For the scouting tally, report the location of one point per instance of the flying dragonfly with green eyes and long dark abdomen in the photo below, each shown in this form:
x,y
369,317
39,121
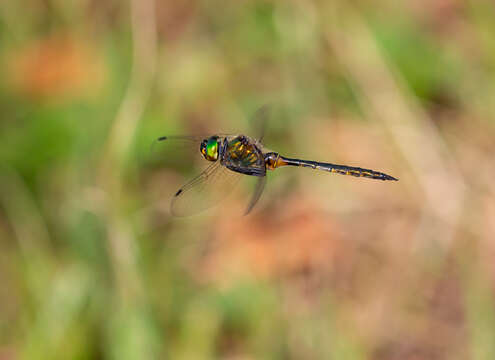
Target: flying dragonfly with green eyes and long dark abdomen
x,y
232,156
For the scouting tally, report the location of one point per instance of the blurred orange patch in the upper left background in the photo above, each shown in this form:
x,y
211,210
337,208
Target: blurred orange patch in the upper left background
x,y
55,66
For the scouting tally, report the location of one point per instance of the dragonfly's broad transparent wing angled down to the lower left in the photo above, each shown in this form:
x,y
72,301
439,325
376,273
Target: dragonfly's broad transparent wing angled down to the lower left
x,y
204,191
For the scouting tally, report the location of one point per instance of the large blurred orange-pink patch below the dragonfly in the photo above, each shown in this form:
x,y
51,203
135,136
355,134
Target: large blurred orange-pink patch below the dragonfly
x,y
301,239
